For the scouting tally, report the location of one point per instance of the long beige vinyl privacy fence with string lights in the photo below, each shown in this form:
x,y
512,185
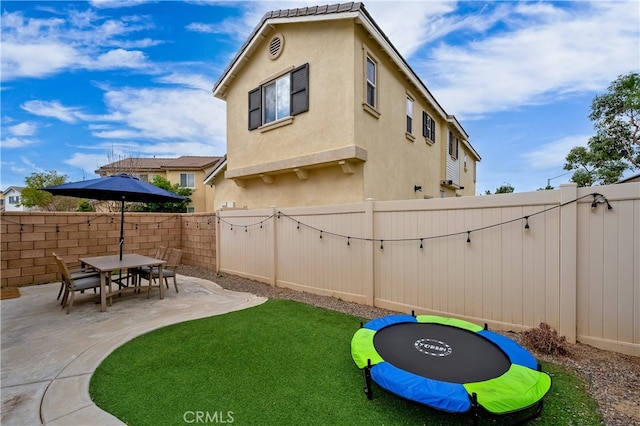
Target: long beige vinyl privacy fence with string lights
x,y
512,260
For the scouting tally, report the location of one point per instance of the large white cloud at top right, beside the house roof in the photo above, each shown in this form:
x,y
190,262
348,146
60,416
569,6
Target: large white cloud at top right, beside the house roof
x,y
552,52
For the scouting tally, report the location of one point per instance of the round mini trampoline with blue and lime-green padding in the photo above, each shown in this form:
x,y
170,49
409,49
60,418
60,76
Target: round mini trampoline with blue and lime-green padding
x,y
448,364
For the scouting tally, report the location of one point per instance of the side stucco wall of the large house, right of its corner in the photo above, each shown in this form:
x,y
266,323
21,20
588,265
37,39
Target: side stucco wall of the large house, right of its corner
x,y
395,163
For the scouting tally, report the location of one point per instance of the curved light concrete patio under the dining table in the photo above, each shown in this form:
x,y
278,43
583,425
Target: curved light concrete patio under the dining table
x,y
48,357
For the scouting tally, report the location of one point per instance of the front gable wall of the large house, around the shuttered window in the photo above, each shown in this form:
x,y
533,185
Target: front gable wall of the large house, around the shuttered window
x,y
322,46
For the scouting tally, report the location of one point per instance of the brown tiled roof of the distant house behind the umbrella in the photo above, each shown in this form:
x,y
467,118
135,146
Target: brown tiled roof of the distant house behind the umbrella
x,y
185,162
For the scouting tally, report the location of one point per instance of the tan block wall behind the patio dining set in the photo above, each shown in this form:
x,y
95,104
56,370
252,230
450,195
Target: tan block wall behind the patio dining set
x,y
29,238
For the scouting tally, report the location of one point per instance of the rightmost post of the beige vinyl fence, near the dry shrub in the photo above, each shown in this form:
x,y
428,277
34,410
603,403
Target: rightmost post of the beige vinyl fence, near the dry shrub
x,y
568,262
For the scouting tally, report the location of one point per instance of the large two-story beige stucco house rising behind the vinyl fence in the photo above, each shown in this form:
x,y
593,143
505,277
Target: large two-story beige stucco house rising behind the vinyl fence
x,y
322,109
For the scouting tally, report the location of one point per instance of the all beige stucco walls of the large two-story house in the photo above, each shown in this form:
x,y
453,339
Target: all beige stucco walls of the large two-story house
x,y
390,165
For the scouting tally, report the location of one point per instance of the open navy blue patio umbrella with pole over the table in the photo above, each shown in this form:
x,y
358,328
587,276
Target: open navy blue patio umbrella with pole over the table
x,y
121,187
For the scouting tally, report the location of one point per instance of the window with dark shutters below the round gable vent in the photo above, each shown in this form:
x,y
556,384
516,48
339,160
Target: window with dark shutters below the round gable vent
x,y
283,97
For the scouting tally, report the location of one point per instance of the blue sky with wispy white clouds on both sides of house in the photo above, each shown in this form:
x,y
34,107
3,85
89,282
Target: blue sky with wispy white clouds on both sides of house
x,y
87,83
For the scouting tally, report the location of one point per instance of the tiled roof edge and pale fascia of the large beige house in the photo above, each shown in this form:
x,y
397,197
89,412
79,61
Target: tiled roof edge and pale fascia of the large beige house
x,y
352,10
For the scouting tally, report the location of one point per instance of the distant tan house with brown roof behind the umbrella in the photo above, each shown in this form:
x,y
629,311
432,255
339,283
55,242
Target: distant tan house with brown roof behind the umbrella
x,y
188,171
